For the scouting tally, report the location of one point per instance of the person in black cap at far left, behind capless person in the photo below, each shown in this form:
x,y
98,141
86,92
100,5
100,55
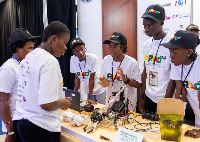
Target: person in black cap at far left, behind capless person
x,y
21,42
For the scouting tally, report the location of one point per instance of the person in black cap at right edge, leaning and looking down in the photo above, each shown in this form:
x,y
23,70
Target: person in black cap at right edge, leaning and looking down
x,y
185,66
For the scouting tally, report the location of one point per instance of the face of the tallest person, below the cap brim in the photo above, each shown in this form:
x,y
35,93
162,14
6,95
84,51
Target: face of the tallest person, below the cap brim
x,y
151,27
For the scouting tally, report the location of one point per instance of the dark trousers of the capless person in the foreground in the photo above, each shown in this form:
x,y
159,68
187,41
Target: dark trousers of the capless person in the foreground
x,y
26,131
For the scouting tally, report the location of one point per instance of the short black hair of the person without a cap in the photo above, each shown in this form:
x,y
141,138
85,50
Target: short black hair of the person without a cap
x,y
54,28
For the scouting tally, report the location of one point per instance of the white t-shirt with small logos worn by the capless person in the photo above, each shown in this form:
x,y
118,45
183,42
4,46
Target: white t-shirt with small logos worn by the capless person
x,y
40,82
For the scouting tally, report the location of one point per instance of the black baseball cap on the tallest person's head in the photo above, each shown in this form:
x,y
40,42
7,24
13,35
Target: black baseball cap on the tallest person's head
x,y
155,12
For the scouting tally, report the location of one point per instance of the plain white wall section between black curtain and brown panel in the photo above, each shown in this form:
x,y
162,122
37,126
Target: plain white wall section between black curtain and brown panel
x,y
90,26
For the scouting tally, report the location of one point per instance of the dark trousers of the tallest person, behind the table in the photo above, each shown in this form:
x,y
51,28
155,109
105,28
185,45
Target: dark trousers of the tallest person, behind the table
x,y
150,106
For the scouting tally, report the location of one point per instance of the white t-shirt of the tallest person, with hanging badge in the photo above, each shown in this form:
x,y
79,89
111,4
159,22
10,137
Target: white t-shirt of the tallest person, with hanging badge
x,y
158,72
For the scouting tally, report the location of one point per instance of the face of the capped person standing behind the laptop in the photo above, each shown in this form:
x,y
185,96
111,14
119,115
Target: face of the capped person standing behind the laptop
x,y
79,51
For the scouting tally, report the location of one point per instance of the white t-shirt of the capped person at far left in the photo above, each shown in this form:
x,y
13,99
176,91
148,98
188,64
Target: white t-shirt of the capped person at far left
x,y
8,83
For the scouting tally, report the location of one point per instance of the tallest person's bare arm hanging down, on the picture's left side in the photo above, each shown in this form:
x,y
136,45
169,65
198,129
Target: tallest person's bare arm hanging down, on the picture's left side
x,y
141,100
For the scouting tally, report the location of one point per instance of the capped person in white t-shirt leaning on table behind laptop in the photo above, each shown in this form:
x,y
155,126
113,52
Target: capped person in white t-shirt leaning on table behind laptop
x,y
85,67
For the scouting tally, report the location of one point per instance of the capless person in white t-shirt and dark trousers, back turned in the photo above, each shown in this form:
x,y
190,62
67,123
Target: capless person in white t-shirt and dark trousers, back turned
x,y
40,89
